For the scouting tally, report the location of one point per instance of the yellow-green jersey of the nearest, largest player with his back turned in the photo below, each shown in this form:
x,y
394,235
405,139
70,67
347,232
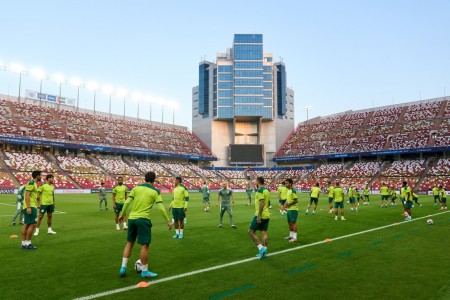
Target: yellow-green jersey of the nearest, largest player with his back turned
x,y
142,197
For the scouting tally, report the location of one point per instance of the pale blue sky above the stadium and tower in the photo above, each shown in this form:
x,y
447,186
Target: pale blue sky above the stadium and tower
x,y
339,55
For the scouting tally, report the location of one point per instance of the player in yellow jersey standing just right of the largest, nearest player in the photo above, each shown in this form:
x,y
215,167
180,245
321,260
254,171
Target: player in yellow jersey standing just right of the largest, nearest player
x,y
179,208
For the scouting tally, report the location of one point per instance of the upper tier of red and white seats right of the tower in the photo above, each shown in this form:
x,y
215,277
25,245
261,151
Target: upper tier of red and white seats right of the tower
x,y
409,126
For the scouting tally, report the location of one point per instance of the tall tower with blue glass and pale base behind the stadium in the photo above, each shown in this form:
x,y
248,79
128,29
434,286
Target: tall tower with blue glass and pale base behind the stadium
x,y
242,97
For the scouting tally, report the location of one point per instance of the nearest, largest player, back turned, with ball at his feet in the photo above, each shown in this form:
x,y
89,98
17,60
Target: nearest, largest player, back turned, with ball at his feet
x,y
142,198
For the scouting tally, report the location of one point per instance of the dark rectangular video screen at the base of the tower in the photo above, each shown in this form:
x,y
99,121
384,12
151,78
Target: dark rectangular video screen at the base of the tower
x,y
246,154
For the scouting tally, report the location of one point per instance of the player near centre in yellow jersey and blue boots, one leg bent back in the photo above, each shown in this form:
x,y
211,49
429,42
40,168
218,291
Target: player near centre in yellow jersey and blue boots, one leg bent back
x,y
261,219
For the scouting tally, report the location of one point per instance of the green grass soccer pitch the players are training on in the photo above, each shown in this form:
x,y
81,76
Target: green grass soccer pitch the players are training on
x,y
407,260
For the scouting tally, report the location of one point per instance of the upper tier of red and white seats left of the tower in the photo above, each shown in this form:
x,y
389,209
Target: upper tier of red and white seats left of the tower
x,y
29,120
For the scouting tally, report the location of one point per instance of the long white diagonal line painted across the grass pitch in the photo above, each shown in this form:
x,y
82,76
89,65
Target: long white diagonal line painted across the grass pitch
x,y
153,282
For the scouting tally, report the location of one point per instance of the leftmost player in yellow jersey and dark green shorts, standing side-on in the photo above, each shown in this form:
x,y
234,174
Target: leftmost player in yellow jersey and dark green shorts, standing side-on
x,y
30,210
